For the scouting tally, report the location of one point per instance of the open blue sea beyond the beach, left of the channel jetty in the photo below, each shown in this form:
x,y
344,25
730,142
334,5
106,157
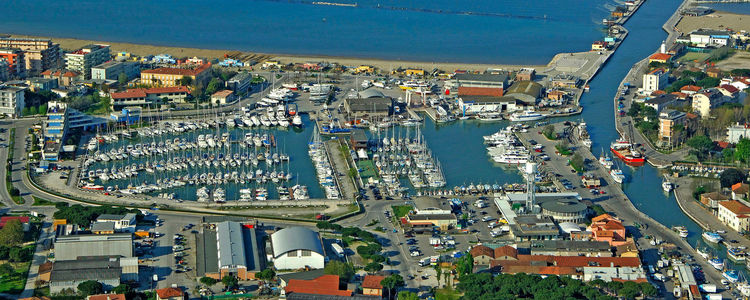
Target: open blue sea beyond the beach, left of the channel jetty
x,y
476,31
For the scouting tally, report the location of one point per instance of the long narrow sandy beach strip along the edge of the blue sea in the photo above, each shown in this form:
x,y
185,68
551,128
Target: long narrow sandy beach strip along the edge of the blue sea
x,y
141,50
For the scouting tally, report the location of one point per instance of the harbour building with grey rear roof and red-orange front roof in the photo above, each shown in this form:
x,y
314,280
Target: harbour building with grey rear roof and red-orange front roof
x,y
480,84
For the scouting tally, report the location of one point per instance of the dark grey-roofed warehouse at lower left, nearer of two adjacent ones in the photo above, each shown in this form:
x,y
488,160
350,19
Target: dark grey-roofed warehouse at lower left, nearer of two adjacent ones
x,y
109,271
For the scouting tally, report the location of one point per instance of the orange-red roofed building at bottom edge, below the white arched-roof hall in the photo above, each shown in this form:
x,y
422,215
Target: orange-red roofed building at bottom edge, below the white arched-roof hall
x,y
326,285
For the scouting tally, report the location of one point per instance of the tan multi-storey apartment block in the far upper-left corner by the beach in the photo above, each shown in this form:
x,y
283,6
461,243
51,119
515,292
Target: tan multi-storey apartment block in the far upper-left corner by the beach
x,y
38,54
